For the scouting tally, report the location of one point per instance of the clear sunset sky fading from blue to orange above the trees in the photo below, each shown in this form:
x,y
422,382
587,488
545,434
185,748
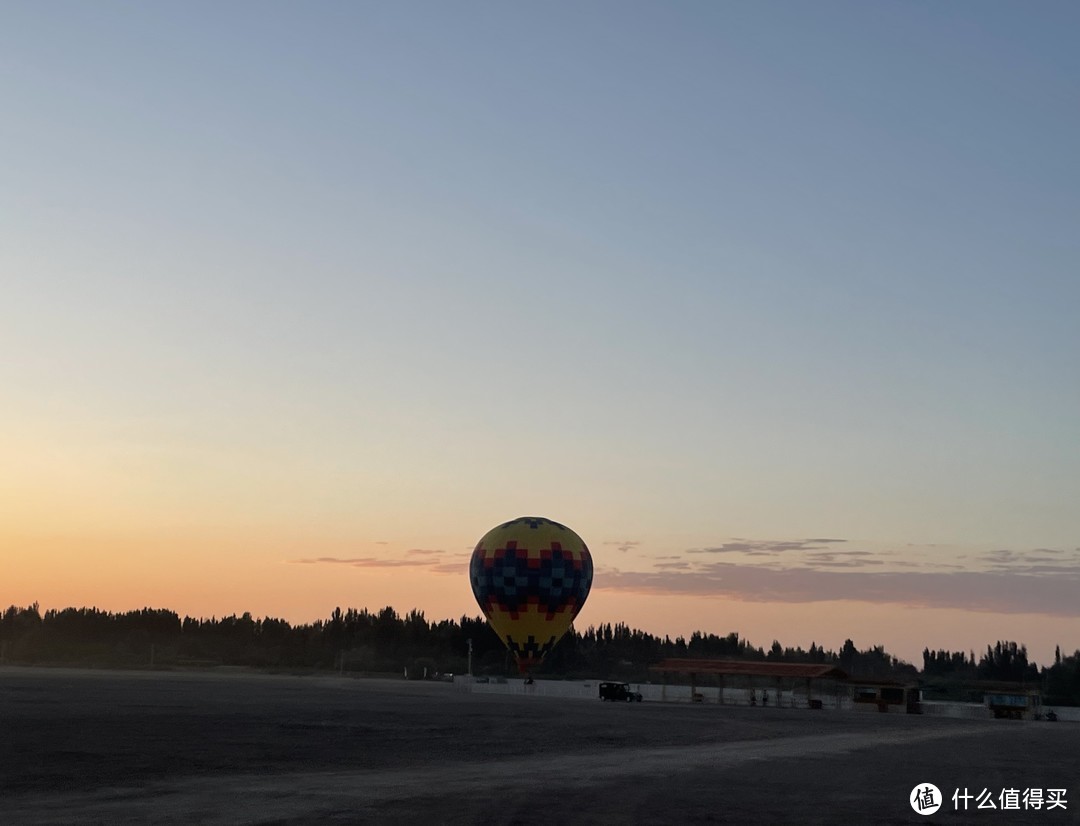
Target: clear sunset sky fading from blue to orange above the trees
x,y
776,304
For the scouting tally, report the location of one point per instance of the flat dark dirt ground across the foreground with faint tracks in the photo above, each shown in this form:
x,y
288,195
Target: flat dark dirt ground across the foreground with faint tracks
x,y
116,748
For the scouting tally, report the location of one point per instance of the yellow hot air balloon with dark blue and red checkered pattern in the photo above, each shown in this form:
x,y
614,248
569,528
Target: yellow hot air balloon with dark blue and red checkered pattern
x,y
531,576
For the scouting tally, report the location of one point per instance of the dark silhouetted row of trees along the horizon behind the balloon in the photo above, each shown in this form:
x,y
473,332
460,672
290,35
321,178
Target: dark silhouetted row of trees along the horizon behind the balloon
x,y
359,641
